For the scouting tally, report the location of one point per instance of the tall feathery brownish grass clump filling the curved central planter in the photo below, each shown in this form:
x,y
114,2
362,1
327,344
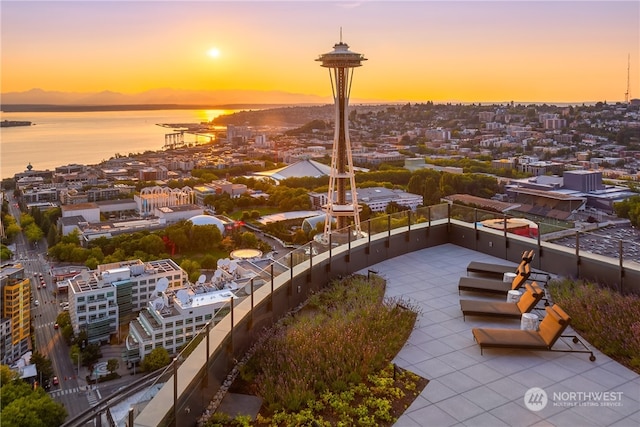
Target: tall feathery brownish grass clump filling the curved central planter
x,y
350,332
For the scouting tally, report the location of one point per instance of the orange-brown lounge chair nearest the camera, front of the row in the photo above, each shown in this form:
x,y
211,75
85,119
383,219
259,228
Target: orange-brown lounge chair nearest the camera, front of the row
x,y
550,330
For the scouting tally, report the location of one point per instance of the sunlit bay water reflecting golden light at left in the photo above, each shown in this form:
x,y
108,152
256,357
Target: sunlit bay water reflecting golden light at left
x,y
57,139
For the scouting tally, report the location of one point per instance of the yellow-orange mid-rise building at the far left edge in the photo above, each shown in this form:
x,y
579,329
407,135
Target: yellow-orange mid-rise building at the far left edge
x,y
15,313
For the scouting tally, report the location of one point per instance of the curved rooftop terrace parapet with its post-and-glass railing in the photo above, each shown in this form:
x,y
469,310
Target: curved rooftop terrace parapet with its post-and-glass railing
x,y
194,383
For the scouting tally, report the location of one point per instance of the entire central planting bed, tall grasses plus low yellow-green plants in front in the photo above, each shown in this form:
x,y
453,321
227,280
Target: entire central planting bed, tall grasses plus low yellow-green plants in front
x,y
330,363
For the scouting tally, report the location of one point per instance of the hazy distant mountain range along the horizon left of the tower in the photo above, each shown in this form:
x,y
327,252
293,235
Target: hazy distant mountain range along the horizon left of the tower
x,y
11,101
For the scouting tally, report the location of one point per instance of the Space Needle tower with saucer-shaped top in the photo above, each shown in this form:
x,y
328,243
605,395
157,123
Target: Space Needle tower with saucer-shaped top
x,y
341,63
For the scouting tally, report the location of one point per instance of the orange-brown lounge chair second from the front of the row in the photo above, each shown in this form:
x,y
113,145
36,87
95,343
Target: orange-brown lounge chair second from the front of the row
x,y
531,297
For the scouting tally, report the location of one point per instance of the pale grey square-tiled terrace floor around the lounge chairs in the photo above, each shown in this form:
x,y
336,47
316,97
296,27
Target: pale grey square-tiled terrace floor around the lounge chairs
x,y
470,389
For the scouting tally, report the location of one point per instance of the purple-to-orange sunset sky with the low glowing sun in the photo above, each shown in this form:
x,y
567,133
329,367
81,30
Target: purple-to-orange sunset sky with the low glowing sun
x,y
417,51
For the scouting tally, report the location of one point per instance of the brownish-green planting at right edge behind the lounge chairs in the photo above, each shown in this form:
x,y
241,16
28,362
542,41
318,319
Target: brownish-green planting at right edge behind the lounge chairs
x,y
605,318
